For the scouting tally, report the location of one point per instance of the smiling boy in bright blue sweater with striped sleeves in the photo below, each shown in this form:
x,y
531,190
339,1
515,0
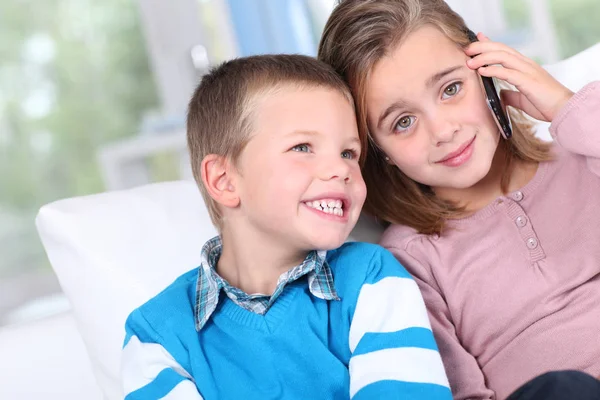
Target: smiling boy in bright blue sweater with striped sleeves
x,y
276,309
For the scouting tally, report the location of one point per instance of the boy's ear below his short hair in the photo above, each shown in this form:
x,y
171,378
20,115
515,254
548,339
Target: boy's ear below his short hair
x,y
218,179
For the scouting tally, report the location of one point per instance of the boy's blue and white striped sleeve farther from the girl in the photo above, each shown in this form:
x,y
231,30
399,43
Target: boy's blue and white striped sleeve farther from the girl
x,y
148,371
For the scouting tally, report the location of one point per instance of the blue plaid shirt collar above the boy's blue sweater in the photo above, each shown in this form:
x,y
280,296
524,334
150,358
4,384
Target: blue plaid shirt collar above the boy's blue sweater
x,y
208,288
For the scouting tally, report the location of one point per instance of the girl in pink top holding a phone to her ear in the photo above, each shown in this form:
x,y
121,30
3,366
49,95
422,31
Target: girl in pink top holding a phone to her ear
x,y
502,235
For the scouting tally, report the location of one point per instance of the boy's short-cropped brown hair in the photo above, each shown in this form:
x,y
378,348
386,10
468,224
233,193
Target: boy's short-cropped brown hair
x,y
220,113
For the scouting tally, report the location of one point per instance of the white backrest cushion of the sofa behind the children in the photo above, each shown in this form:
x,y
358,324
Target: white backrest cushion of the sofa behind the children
x,y
114,251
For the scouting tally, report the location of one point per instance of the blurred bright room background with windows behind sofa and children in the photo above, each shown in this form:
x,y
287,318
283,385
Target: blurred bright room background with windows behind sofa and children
x,y
93,96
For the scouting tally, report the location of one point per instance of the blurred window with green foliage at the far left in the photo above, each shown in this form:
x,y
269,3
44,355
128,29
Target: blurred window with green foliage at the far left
x,y
74,76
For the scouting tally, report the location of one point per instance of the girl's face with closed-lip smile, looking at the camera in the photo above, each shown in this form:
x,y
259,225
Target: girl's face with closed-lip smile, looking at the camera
x,y
427,112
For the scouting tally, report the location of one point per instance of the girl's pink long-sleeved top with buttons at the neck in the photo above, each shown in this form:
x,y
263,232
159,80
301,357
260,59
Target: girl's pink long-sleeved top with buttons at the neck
x,y
513,291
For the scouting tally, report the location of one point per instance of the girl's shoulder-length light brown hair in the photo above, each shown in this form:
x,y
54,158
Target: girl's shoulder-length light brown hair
x,y
357,35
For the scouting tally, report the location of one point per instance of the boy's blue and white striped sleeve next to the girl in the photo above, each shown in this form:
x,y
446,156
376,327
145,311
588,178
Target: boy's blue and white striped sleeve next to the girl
x,y
394,353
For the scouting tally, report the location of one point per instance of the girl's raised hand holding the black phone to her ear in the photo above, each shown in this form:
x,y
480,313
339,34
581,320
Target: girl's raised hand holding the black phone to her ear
x,y
540,95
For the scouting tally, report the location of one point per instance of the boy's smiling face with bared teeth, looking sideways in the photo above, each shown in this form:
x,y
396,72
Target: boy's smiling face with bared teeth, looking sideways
x,y
299,180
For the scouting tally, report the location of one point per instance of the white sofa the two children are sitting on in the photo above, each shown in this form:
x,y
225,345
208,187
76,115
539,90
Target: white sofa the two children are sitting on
x,y
113,251
